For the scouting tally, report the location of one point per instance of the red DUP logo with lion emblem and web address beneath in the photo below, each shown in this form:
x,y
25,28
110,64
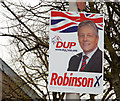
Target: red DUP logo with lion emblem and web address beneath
x,y
61,45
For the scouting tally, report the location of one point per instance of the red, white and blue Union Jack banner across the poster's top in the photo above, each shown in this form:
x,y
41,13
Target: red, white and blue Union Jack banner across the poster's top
x,y
66,22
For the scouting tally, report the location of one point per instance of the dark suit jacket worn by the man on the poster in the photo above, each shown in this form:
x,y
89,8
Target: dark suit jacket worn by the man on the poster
x,y
94,64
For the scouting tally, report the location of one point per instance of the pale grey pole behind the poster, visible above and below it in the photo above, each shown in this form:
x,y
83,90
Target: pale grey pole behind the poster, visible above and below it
x,y
72,96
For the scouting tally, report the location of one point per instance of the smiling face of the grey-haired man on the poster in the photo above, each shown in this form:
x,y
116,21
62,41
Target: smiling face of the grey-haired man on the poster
x,y
87,39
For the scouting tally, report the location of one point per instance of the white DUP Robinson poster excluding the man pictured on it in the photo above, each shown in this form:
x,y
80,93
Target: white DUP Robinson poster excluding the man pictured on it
x,y
63,45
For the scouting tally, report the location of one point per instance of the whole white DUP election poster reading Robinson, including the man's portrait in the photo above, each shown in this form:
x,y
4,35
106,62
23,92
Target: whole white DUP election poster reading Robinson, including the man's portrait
x,y
76,52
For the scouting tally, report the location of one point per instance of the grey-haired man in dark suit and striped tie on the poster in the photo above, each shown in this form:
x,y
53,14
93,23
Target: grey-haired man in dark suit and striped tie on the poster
x,y
90,60
